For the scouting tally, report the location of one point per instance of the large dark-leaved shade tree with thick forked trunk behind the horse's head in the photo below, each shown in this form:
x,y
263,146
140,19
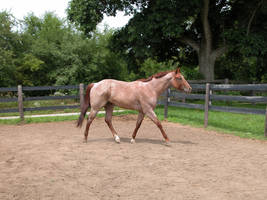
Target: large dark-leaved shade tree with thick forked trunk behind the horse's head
x,y
160,28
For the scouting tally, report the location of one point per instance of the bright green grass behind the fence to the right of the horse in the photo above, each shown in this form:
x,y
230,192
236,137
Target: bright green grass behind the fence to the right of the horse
x,y
243,125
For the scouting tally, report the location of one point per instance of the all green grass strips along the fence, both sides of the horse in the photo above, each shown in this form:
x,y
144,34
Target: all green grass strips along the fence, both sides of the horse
x,y
243,125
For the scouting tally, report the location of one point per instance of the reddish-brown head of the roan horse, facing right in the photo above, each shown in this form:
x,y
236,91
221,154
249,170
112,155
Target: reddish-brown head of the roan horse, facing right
x,y
178,81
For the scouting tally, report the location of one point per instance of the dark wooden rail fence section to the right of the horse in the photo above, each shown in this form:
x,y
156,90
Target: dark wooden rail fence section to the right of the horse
x,y
171,96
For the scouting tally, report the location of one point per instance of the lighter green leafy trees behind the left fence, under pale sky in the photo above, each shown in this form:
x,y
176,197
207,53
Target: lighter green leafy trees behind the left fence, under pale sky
x,y
49,51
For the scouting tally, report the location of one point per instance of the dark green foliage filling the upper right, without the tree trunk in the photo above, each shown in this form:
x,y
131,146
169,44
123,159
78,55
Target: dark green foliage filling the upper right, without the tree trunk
x,y
165,28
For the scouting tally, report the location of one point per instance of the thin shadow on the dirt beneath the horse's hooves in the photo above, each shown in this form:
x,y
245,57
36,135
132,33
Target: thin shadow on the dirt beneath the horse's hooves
x,y
141,141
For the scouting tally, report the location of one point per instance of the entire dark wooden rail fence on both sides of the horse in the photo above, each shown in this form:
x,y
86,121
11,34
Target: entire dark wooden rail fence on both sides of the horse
x,y
169,98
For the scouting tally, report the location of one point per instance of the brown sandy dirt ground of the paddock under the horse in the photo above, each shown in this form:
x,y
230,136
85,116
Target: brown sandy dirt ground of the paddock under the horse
x,y
50,161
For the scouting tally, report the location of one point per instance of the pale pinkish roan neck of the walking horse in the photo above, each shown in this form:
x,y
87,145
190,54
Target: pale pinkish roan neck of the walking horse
x,y
161,84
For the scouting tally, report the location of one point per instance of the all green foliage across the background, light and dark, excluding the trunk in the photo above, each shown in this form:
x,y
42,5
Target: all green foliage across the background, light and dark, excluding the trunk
x,y
51,51
